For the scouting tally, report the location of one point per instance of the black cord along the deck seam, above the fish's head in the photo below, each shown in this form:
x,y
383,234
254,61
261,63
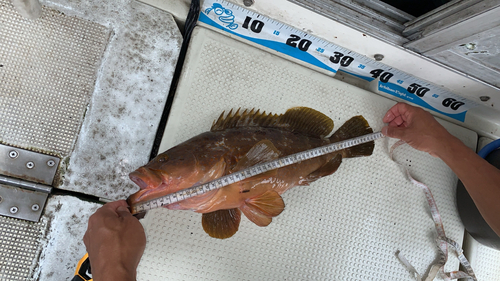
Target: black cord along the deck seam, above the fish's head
x,y
191,20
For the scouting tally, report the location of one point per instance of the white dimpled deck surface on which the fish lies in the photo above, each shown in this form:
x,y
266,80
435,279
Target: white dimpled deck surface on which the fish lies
x,y
347,226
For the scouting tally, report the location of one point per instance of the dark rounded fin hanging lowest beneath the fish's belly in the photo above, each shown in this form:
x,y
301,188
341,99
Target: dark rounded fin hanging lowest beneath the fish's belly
x,y
221,224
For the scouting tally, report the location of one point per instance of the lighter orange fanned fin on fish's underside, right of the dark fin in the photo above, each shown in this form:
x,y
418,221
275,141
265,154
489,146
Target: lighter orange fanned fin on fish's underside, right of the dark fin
x,y
261,209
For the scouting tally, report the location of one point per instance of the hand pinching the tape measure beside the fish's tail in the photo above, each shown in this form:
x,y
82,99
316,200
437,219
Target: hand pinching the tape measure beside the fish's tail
x,y
416,127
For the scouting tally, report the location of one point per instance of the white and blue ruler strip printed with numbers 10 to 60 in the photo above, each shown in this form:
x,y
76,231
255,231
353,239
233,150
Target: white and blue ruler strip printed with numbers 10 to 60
x,y
326,55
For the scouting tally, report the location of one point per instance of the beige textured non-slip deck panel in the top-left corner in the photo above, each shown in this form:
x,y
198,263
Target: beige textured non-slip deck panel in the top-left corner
x,y
48,69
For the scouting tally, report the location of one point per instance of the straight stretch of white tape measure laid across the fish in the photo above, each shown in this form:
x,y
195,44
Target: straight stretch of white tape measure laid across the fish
x,y
252,171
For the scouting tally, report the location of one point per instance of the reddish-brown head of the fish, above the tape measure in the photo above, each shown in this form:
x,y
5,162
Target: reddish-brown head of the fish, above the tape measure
x,y
169,172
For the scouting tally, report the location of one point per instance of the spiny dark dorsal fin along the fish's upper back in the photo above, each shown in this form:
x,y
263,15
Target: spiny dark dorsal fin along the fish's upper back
x,y
297,119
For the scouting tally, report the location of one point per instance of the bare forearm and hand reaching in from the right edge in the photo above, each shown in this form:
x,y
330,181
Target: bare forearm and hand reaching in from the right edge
x,y
420,130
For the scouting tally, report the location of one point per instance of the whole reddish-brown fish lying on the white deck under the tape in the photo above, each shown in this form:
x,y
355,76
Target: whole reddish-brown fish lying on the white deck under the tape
x,y
240,140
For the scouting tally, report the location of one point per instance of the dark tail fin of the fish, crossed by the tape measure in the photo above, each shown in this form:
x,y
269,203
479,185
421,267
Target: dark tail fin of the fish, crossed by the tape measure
x,y
354,127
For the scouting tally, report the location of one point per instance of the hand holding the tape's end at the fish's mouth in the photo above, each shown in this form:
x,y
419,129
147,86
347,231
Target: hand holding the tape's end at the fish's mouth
x,y
115,242
